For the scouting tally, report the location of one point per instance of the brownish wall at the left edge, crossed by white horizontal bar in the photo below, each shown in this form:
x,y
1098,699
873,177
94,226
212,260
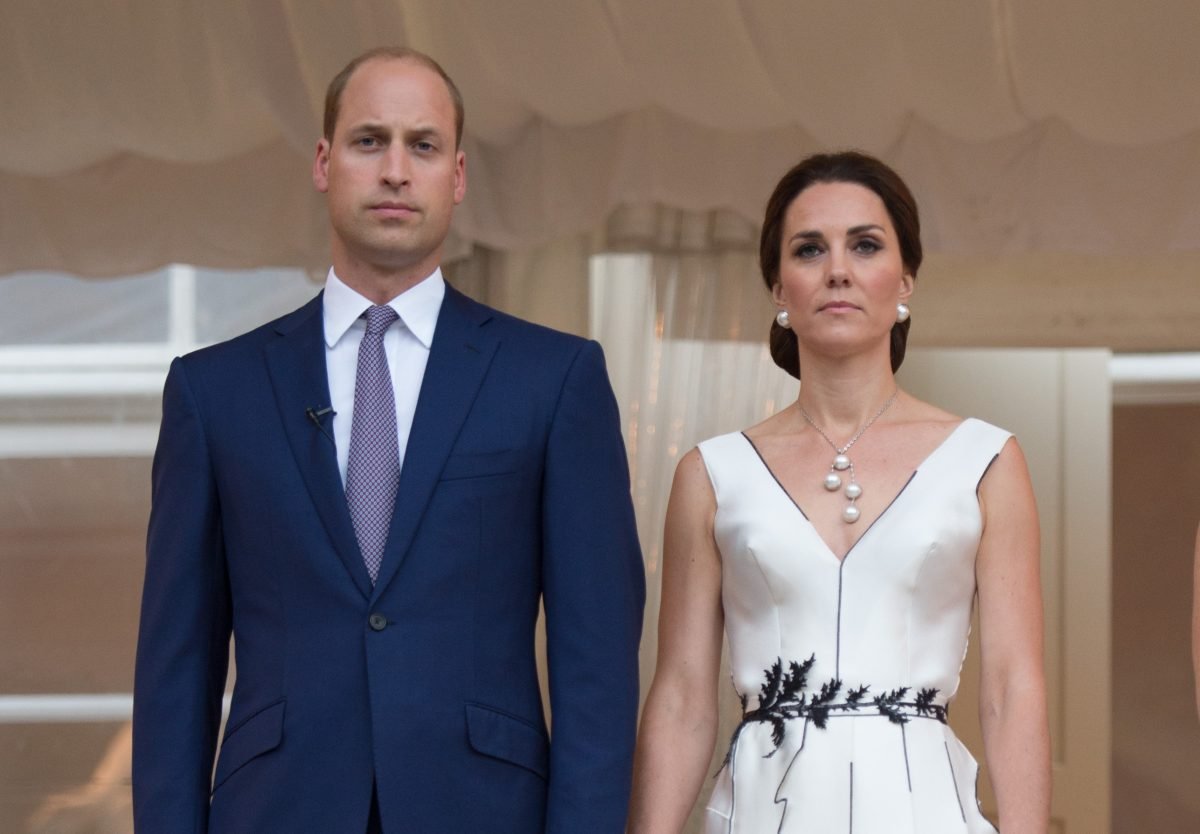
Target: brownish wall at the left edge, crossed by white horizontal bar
x,y
73,535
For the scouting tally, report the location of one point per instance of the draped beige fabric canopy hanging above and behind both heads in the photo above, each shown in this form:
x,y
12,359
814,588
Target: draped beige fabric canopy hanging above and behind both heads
x,y
137,135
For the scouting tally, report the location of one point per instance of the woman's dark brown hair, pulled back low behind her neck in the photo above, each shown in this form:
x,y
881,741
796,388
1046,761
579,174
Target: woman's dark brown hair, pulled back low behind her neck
x,y
841,167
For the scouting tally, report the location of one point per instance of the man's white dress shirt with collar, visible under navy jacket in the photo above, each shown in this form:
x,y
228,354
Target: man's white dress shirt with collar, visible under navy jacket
x,y
407,345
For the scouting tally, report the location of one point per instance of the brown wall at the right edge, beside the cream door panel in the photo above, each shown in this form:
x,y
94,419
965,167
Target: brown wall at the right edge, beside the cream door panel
x,y
1156,506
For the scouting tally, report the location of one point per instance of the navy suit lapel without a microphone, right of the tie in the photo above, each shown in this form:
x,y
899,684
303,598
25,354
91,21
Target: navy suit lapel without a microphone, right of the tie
x,y
459,361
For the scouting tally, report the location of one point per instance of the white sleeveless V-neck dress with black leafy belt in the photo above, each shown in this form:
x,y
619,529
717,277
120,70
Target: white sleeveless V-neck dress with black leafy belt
x,y
845,669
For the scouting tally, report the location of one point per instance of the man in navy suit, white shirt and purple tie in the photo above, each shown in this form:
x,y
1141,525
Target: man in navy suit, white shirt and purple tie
x,y
398,693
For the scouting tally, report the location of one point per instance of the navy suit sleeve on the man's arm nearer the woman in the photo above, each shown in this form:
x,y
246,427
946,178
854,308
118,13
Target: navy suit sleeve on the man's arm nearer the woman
x,y
595,592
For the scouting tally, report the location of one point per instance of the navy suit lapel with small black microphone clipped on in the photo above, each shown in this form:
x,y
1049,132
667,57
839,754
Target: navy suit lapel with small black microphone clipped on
x,y
297,364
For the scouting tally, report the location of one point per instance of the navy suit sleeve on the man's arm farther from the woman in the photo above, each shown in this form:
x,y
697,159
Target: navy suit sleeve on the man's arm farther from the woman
x,y
184,634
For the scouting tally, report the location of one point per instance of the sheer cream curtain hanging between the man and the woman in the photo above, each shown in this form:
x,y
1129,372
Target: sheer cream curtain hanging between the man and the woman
x,y
685,331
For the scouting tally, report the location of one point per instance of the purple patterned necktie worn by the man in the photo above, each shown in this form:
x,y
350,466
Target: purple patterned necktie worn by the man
x,y
373,472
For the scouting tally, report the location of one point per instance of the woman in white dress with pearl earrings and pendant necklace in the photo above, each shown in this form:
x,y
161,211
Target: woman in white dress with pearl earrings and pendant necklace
x,y
842,544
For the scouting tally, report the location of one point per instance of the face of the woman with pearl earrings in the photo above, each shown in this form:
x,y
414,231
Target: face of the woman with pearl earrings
x,y
841,272
